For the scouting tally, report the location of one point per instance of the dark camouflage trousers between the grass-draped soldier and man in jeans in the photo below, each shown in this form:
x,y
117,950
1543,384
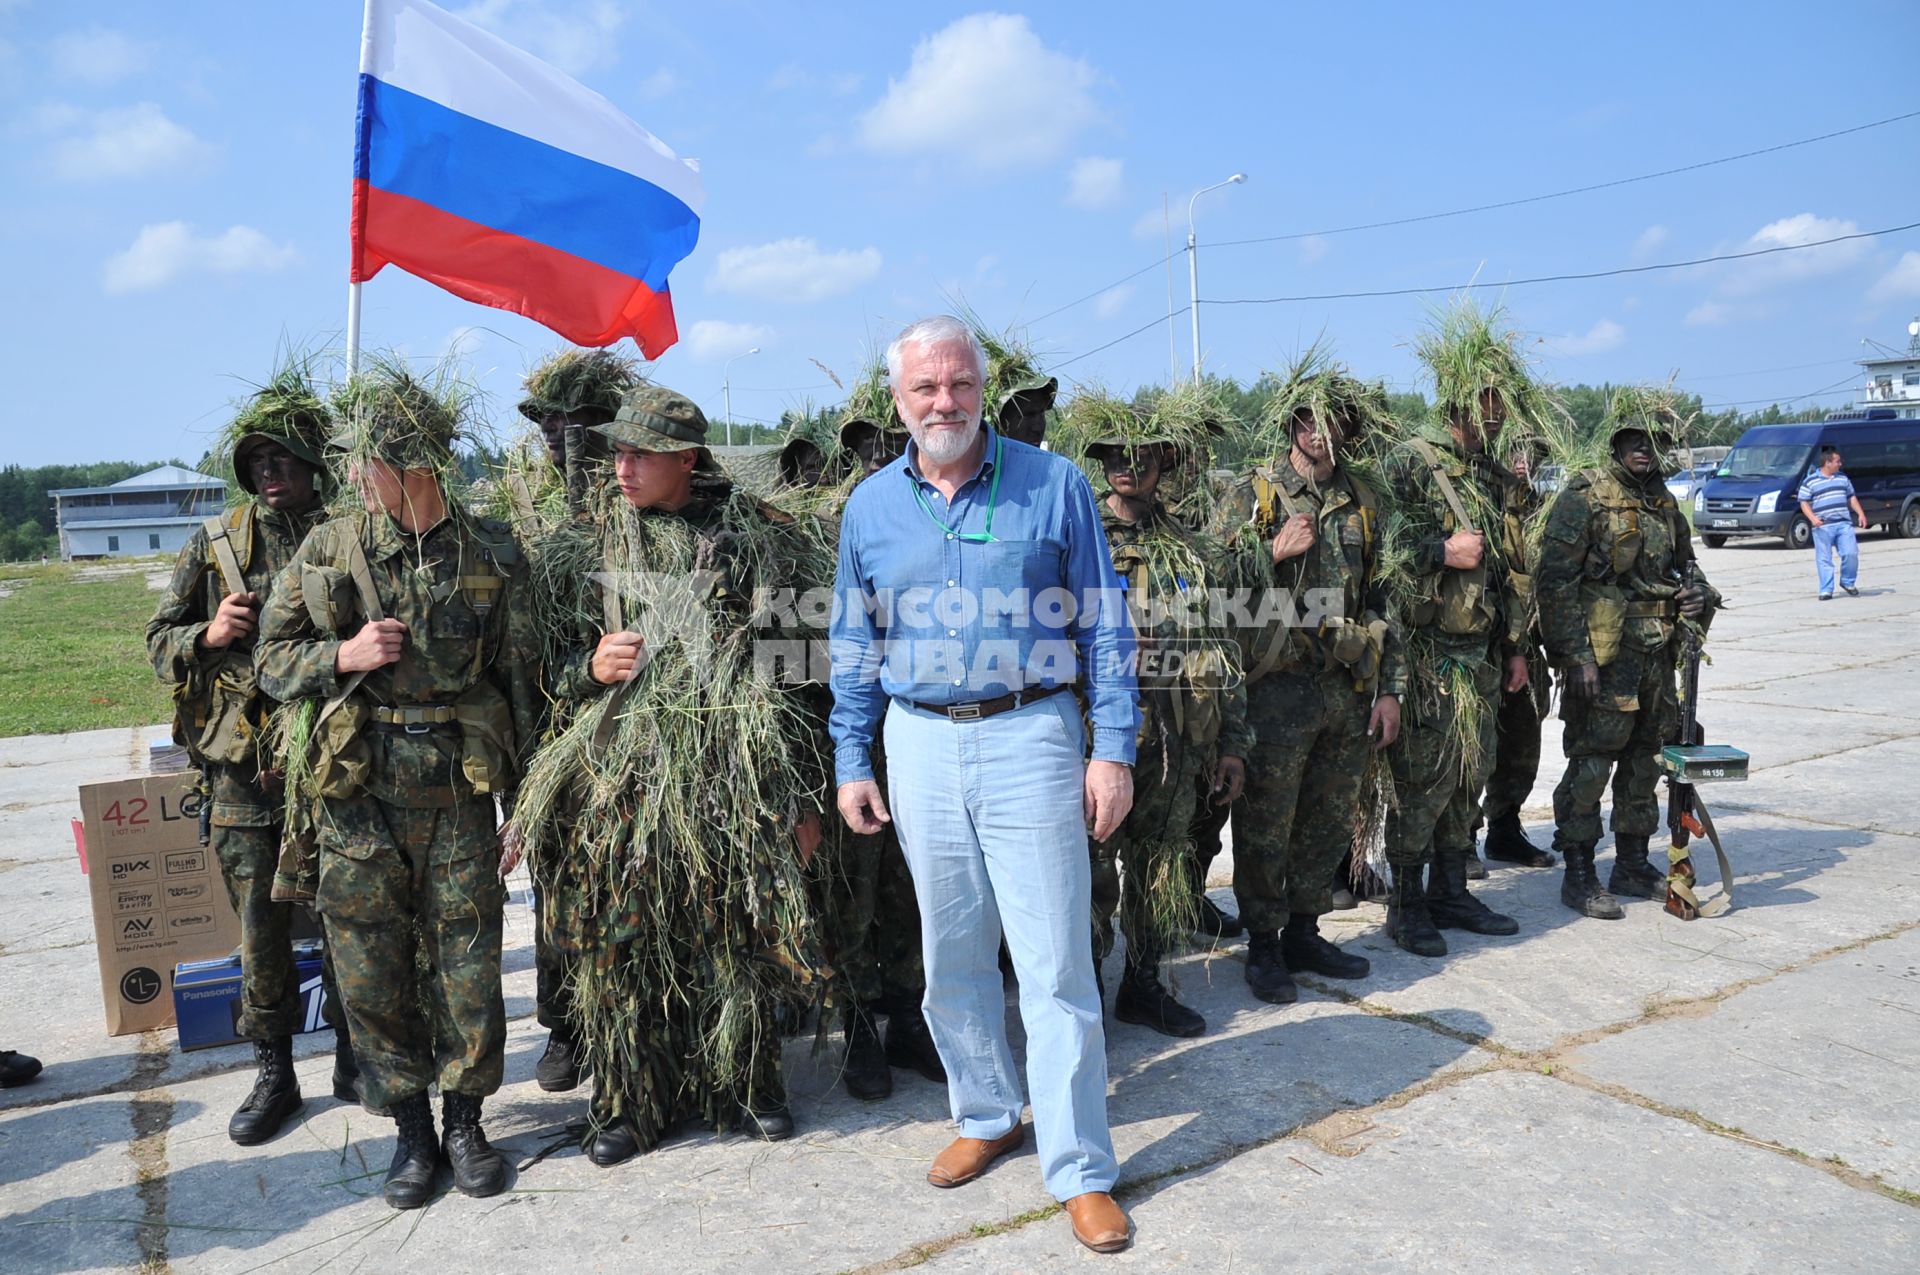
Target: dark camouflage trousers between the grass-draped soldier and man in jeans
x,y
876,925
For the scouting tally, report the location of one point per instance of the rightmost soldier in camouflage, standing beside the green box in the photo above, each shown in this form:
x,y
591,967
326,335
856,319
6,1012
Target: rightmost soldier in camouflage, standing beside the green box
x,y
1618,590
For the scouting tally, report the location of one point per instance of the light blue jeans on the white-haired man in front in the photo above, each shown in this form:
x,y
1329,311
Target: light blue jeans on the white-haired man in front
x,y
992,823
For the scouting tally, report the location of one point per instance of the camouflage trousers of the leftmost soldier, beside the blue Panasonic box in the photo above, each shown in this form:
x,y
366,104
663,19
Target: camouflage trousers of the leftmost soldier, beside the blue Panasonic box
x,y
270,980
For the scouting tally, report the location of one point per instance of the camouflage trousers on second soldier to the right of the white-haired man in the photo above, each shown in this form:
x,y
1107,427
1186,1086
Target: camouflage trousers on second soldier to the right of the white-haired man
x,y
1297,819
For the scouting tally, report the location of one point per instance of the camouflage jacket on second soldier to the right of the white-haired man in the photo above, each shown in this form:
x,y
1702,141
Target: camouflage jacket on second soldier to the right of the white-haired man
x,y
1337,583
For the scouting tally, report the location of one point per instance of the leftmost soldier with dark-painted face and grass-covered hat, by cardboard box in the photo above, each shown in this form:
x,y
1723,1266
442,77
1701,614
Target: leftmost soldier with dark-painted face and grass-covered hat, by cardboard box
x,y
203,644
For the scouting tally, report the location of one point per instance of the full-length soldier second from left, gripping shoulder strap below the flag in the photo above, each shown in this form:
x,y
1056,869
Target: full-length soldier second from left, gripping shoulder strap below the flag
x,y
406,619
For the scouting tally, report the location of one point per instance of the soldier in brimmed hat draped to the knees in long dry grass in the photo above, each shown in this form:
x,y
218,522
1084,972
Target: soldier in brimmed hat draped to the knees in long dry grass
x,y
665,813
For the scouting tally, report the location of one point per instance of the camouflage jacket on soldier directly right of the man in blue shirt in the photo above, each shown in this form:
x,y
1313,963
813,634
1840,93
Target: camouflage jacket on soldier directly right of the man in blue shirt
x,y
1189,673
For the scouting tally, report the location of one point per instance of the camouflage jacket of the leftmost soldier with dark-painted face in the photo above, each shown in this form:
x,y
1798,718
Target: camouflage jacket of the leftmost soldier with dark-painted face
x,y
218,706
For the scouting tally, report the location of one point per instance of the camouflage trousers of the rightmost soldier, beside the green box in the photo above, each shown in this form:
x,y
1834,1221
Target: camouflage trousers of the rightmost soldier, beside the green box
x,y
1620,734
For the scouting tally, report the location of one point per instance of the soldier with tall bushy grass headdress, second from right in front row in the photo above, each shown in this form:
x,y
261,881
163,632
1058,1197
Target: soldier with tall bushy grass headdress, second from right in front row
x,y
1468,613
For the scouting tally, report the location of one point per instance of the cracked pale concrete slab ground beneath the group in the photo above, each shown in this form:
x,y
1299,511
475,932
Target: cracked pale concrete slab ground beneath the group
x,y
1644,1095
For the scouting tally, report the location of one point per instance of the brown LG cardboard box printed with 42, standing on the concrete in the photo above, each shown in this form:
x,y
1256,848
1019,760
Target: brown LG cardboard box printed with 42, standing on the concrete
x,y
158,894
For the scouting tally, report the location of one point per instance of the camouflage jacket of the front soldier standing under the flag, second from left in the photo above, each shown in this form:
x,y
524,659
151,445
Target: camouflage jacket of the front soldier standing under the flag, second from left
x,y
460,590
